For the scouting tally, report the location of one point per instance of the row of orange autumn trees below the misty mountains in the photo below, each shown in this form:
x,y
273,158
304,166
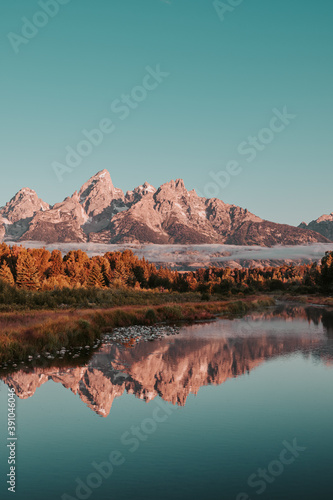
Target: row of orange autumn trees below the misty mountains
x,y
39,269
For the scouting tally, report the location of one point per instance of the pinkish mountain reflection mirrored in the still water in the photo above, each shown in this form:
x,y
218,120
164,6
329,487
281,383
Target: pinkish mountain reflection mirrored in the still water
x,y
200,355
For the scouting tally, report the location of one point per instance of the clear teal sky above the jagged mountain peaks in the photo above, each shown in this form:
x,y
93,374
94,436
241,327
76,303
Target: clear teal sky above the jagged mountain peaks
x,y
228,70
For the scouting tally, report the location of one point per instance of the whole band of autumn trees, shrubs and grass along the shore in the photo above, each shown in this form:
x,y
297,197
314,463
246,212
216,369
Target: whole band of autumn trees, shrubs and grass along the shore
x,y
49,301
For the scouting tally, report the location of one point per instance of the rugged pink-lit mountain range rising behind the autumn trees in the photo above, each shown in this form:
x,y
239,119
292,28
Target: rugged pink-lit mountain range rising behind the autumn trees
x,y
102,213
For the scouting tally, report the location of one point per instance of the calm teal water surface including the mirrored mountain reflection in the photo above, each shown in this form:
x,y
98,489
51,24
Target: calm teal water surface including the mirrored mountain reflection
x,y
238,409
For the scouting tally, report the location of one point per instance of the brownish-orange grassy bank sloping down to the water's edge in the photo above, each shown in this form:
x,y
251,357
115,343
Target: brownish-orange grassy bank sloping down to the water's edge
x,y
26,333
